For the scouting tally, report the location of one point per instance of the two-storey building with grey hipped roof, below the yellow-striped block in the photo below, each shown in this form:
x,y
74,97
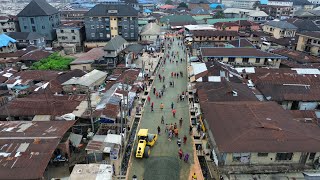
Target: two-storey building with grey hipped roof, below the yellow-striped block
x,y
112,53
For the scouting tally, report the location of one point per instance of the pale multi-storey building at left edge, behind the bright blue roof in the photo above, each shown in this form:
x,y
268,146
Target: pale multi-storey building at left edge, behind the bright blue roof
x,y
9,24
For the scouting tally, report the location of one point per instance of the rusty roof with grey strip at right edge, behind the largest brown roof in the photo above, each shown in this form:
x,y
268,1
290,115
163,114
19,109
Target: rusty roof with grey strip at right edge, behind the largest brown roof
x,y
286,84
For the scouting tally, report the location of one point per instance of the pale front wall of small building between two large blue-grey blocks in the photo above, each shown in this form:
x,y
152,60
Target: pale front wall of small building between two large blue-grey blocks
x,y
70,35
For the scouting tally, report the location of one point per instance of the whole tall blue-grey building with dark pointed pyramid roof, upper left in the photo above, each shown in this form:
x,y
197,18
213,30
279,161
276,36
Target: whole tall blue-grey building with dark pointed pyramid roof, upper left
x,y
40,17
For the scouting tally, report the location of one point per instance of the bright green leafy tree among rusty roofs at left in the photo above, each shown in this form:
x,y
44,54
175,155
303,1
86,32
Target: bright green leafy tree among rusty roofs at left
x,y
53,62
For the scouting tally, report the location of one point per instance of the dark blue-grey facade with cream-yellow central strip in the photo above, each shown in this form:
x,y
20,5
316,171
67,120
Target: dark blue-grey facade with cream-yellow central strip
x,y
103,28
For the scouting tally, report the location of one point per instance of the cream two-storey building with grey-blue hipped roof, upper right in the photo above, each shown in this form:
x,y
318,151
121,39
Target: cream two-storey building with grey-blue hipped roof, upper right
x,y
279,29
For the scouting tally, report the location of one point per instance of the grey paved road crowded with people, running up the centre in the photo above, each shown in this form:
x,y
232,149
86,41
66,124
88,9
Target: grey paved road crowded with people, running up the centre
x,y
165,149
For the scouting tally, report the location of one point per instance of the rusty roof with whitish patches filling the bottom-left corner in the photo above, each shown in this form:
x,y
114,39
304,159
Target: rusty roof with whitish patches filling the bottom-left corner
x,y
26,147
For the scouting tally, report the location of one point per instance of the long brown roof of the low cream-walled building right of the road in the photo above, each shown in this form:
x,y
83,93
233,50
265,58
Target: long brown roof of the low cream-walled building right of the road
x,y
237,52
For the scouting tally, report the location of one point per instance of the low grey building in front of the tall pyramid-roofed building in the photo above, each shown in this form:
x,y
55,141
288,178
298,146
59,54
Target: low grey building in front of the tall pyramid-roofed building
x,y
25,39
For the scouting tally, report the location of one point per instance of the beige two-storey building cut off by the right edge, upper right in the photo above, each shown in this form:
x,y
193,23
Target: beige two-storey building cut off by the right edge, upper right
x,y
309,42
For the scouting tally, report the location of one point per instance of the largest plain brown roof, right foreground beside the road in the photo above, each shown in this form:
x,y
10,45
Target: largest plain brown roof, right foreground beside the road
x,y
258,127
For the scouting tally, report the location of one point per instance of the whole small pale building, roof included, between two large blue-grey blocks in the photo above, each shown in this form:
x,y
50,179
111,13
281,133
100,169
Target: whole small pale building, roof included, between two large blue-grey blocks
x,y
70,33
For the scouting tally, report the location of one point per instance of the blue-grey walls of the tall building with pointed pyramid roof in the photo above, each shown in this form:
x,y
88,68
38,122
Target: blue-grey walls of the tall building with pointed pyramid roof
x,y
43,25
